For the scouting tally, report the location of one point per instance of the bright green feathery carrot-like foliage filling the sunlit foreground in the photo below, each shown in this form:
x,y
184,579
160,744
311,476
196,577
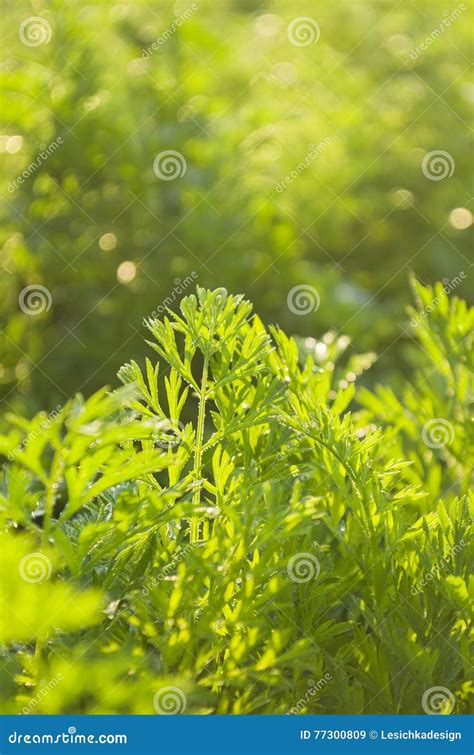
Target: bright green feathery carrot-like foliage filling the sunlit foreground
x,y
238,530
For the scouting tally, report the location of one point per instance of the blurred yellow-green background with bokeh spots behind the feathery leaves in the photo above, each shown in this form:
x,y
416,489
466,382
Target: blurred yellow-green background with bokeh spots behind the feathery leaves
x,y
242,102
